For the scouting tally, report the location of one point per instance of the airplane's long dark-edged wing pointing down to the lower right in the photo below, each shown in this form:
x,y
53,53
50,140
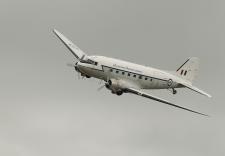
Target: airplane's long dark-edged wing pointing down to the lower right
x,y
137,92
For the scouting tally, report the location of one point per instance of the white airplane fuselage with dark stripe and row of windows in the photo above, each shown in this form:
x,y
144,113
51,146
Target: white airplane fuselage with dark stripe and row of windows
x,y
132,74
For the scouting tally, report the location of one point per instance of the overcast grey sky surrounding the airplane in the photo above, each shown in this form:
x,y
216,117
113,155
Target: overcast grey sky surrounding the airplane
x,y
45,110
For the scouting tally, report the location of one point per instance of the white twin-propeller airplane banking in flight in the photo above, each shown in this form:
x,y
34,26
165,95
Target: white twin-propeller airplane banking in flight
x,y
126,77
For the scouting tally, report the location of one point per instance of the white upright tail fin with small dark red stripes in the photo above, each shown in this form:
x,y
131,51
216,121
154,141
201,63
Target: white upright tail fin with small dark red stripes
x,y
189,69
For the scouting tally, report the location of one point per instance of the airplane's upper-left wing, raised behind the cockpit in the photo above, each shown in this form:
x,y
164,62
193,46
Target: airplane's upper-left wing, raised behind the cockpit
x,y
79,54
